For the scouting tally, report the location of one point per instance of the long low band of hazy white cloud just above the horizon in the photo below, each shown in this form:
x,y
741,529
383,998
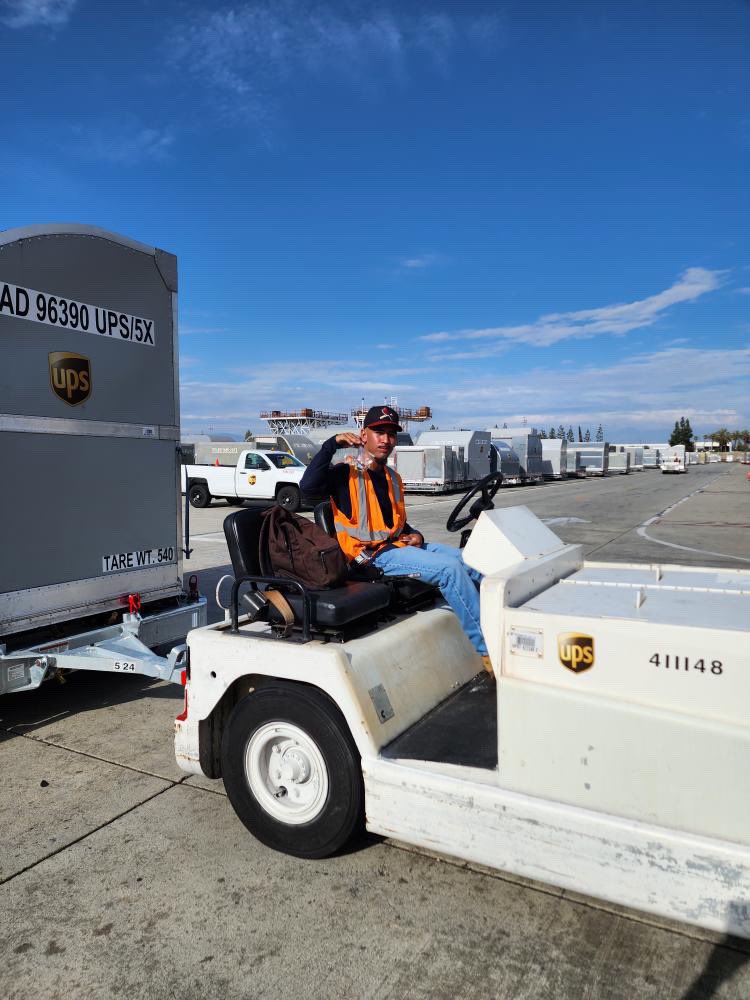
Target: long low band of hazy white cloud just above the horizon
x,y
645,392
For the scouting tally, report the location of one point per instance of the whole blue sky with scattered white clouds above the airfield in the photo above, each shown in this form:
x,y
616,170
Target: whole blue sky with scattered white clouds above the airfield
x,y
503,211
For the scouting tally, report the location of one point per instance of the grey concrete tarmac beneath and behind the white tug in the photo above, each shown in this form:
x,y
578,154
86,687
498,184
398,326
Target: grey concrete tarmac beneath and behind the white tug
x,y
120,878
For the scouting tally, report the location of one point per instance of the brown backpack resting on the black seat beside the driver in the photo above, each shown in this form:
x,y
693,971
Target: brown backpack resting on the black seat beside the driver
x,y
299,550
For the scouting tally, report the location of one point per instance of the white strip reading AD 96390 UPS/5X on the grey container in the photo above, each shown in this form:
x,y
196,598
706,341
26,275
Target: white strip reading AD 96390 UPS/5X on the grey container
x,y
56,310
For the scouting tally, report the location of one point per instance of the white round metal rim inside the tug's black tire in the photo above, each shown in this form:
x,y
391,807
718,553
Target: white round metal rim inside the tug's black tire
x,y
286,773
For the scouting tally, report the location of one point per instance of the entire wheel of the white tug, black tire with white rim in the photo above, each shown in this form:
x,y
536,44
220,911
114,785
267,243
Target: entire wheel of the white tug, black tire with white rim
x,y
292,771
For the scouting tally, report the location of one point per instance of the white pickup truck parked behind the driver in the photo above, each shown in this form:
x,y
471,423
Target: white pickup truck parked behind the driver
x,y
258,475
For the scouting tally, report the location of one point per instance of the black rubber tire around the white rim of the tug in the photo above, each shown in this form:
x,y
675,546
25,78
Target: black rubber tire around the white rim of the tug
x,y
309,710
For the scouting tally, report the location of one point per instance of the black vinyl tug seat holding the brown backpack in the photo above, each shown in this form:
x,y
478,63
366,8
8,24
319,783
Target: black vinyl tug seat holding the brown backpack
x,y
332,609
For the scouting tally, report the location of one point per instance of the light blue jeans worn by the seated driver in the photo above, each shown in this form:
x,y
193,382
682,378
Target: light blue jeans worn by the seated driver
x,y
444,566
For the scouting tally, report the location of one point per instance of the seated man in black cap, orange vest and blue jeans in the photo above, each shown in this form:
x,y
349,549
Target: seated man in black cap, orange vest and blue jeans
x,y
369,512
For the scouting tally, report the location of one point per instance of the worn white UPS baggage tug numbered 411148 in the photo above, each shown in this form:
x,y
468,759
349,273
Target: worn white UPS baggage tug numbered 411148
x,y
610,757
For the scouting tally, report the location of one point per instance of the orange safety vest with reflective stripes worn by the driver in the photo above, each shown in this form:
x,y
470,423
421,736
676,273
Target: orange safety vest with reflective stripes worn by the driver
x,y
365,530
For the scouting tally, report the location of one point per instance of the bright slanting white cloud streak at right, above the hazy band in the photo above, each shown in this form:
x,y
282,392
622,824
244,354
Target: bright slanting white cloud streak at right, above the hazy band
x,y
617,319
